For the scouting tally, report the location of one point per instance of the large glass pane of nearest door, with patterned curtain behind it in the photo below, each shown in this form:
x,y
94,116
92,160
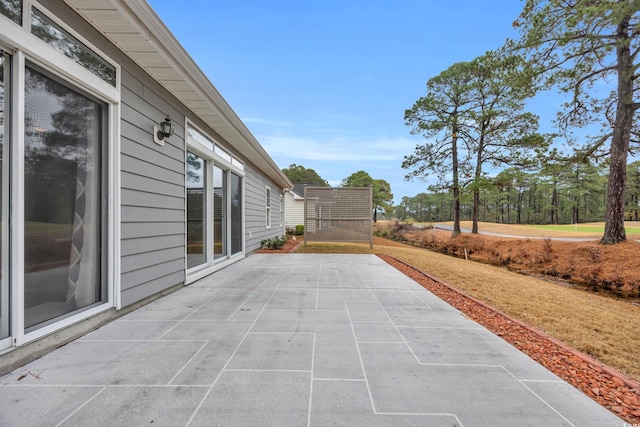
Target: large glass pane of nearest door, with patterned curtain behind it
x,y
63,223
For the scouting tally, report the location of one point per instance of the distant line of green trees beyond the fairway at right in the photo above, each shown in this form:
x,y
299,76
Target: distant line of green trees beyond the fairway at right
x,y
559,194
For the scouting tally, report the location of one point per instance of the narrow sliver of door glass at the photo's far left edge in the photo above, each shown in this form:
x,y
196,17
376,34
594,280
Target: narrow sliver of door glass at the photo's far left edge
x,y
5,67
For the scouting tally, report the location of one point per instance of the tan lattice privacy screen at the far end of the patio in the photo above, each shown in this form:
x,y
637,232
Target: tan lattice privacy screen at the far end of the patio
x,y
341,214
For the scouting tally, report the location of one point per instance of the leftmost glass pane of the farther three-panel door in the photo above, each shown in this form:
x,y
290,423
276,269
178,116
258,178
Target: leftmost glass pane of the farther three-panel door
x,y
196,211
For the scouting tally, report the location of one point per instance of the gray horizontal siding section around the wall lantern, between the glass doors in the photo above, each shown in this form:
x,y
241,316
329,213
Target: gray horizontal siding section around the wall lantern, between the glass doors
x,y
152,198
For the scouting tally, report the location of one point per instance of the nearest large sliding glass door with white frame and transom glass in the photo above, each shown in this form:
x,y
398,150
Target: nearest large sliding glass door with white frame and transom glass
x,y
59,226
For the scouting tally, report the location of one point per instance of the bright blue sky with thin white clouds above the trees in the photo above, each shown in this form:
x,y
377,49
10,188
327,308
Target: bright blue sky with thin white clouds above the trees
x,y
325,84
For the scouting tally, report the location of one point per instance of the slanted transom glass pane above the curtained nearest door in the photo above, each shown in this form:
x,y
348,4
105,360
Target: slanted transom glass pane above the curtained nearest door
x,y
54,35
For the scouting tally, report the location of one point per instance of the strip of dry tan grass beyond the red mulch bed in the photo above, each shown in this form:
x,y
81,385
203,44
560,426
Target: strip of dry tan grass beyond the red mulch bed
x,y
606,328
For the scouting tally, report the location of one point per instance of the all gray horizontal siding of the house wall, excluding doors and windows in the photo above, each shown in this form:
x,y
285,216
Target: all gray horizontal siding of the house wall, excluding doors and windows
x,y
152,180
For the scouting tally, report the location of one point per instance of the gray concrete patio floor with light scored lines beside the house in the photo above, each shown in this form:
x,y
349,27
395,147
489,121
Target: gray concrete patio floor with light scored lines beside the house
x,y
294,340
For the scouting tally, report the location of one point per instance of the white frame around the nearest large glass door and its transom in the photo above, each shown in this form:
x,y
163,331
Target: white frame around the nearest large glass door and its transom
x,y
23,46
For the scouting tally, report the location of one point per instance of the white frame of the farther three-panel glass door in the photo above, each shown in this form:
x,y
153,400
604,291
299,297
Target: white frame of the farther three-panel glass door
x,y
211,155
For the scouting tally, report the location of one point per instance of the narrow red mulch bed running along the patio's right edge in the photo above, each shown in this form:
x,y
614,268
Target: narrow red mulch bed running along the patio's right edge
x,y
614,391
